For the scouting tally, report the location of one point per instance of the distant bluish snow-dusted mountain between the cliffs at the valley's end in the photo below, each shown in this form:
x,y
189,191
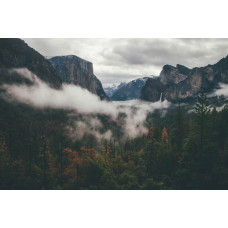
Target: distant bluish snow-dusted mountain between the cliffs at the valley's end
x,y
131,90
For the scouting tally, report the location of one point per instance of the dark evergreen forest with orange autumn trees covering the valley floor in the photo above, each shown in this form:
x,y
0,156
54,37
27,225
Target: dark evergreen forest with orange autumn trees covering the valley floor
x,y
181,151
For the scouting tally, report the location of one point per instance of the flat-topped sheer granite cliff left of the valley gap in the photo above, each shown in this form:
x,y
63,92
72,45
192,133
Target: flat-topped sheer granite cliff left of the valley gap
x,y
74,70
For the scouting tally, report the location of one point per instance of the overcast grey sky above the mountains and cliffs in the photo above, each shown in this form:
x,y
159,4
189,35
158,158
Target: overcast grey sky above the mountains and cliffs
x,y
119,60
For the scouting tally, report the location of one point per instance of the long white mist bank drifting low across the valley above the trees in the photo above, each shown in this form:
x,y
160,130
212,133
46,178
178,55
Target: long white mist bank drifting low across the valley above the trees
x,y
81,101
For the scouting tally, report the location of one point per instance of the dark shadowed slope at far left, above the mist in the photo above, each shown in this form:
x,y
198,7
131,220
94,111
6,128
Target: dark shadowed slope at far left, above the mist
x,y
15,53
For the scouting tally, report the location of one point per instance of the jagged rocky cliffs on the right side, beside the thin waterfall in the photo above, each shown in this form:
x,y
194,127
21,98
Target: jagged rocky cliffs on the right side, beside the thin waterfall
x,y
179,83
